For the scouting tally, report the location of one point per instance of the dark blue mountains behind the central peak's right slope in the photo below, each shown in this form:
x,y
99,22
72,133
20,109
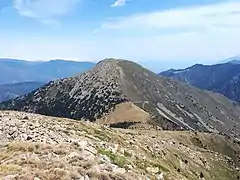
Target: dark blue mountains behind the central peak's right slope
x,y
222,78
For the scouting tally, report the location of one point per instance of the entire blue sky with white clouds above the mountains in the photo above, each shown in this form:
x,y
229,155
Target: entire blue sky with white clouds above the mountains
x,y
175,32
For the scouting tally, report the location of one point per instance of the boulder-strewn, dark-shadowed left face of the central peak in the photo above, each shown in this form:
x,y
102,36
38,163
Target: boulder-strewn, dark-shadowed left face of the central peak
x,y
88,96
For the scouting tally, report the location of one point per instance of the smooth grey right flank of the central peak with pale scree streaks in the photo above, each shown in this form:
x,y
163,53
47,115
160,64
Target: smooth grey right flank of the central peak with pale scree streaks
x,y
174,105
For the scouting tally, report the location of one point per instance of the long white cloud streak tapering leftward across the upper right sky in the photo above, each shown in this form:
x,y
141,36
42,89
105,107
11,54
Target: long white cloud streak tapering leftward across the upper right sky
x,y
203,17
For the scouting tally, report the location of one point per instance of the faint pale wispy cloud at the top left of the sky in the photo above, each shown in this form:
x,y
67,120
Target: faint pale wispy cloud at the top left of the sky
x,y
44,10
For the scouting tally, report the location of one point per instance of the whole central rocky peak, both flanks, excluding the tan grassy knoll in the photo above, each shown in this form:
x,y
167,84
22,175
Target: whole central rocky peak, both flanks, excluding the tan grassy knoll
x,y
97,93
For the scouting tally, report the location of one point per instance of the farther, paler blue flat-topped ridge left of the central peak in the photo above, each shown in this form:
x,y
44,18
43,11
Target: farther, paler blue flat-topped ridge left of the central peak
x,y
16,71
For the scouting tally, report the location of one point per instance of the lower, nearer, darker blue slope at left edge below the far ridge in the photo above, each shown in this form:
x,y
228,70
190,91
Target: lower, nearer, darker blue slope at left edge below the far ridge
x,y
11,91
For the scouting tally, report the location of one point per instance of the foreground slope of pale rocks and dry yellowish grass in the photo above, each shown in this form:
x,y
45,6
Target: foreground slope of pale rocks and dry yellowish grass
x,y
35,147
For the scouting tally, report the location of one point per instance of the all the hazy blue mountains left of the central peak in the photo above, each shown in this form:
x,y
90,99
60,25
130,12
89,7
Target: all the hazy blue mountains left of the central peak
x,y
19,77
